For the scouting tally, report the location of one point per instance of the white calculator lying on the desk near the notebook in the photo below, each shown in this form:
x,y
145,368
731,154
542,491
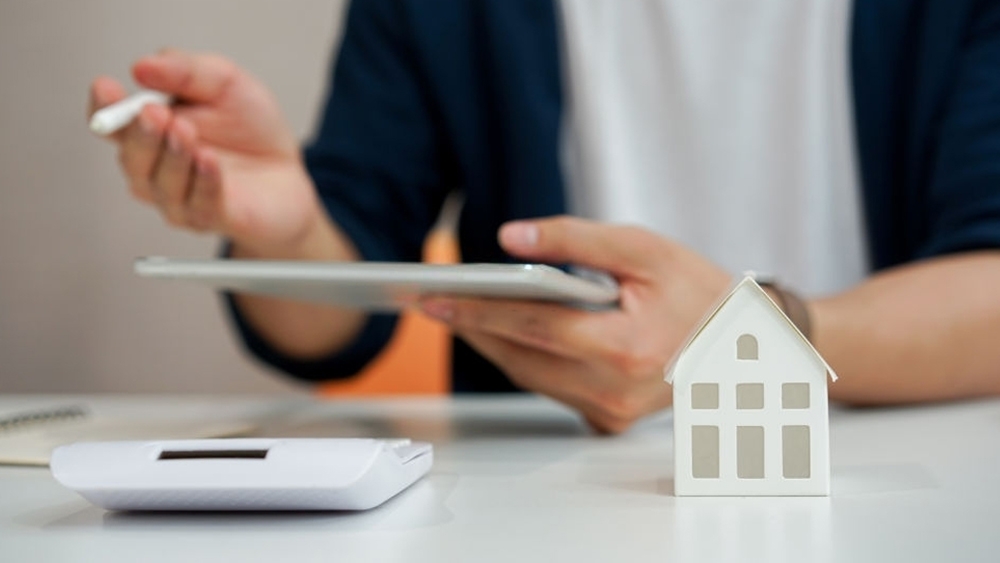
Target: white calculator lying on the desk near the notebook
x,y
242,474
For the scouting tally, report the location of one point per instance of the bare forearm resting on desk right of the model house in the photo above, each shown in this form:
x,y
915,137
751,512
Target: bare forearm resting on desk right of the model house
x,y
921,332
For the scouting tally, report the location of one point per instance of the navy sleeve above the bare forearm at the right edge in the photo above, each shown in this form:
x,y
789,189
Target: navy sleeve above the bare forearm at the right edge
x,y
963,201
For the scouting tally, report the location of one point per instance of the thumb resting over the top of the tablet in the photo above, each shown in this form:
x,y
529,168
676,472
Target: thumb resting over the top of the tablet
x,y
614,248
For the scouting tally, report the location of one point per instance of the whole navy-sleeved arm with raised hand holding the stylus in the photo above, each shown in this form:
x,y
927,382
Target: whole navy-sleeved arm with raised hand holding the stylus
x,y
224,161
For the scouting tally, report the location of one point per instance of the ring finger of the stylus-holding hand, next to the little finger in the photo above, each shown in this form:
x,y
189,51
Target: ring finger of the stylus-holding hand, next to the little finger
x,y
172,178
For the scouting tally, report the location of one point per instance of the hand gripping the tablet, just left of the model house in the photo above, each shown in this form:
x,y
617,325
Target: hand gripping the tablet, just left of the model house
x,y
608,364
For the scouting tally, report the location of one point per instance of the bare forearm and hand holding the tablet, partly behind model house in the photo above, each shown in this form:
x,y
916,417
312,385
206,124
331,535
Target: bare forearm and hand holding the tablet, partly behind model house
x,y
921,332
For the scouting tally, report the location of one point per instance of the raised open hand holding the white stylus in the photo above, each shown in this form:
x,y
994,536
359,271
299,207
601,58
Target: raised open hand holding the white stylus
x,y
221,160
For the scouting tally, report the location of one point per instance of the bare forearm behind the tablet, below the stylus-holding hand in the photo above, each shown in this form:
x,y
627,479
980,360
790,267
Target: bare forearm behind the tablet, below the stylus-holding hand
x,y
298,329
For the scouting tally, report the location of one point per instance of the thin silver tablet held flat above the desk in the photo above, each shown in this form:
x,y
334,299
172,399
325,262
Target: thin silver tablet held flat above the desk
x,y
384,286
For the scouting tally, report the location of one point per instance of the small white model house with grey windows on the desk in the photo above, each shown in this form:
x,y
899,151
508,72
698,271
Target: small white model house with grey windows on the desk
x,y
750,404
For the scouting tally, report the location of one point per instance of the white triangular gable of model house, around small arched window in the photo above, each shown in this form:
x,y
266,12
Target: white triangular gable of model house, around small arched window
x,y
783,353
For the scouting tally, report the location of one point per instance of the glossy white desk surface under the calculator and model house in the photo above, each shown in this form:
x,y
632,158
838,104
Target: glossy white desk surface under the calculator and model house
x,y
520,479
